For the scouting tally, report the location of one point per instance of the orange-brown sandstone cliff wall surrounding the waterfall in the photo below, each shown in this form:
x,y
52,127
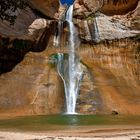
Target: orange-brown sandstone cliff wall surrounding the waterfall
x,y
30,85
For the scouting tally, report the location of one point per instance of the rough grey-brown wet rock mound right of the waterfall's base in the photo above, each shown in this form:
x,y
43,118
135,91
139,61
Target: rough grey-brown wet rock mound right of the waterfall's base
x,y
89,100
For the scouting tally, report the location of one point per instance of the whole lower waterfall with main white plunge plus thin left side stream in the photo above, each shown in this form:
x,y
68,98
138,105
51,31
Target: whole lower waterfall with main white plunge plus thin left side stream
x,y
69,67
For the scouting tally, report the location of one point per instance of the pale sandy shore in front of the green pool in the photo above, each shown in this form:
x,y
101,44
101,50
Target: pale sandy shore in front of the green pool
x,y
83,134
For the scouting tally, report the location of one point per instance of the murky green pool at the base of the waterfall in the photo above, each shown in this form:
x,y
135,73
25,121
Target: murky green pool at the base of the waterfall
x,y
54,122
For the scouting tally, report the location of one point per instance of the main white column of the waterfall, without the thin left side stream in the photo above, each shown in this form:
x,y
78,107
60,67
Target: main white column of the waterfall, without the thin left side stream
x,y
75,72
